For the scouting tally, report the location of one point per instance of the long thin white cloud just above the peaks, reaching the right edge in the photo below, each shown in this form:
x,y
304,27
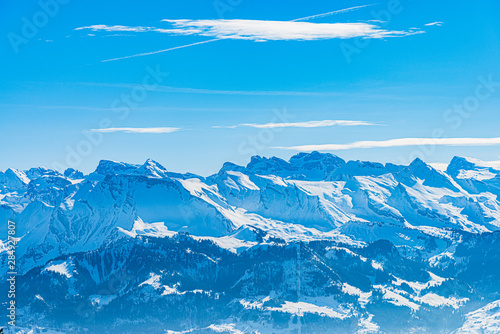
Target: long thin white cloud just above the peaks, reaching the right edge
x,y
398,142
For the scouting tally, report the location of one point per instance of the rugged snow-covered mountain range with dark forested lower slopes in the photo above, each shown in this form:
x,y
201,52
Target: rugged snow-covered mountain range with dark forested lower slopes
x,y
314,244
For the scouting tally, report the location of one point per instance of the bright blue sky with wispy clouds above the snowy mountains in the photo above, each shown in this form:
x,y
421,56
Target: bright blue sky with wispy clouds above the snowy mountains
x,y
404,78
